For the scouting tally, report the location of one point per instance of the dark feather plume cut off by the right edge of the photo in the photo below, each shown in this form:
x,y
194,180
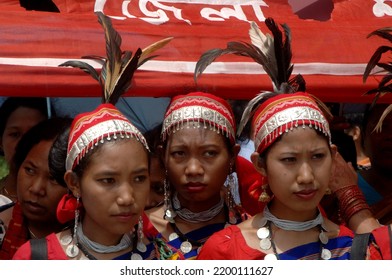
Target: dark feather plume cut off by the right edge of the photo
x,y
385,85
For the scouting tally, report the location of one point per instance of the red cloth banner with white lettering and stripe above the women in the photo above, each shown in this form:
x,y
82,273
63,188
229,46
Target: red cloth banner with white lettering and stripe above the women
x,y
331,55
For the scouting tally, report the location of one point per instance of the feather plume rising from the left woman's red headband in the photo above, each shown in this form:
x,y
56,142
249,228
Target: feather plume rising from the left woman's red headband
x,y
119,66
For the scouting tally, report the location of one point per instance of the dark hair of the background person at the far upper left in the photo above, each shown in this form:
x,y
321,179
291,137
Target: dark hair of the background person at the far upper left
x,y
11,104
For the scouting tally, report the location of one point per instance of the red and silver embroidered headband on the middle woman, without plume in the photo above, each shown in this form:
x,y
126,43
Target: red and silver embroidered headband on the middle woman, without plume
x,y
200,108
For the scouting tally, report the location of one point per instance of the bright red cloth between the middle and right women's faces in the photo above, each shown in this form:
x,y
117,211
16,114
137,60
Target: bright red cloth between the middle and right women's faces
x,y
250,182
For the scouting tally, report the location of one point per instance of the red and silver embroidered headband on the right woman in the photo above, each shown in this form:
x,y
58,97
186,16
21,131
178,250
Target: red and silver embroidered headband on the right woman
x,y
284,112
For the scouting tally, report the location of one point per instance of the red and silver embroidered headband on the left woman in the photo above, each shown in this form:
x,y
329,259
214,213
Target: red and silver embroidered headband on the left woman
x,y
90,129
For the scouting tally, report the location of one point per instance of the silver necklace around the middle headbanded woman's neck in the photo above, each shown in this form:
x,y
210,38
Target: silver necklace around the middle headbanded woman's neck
x,y
192,217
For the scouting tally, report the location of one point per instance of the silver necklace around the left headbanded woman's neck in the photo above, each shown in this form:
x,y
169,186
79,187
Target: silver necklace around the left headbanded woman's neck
x,y
125,242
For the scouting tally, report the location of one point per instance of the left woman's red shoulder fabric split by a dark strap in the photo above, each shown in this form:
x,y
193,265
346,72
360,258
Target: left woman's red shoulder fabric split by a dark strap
x,y
55,251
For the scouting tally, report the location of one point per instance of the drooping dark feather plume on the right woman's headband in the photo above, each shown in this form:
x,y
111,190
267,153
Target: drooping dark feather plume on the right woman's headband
x,y
273,53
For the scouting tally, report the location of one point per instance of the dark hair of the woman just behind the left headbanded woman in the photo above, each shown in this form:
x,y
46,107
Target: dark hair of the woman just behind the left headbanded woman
x,y
44,131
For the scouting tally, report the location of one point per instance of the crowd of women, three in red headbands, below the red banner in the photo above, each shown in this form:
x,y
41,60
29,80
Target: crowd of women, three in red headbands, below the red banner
x,y
95,187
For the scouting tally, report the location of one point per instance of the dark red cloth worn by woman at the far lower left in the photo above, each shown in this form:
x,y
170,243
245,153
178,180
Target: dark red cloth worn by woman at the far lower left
x,y
16,234
